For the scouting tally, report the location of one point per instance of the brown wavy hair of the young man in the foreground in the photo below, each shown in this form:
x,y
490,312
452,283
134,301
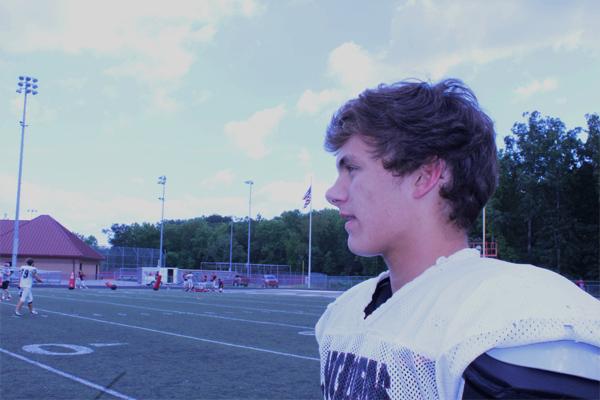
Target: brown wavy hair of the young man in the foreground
x,y
411,123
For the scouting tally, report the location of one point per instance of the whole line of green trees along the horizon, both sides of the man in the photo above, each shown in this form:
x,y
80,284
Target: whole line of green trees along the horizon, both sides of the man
x,y
544,212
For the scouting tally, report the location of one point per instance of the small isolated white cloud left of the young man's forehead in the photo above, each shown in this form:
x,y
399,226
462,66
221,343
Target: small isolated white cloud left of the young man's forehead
x,y
250,135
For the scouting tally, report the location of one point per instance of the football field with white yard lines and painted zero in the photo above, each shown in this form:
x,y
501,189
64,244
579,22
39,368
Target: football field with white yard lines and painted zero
x,y
167,344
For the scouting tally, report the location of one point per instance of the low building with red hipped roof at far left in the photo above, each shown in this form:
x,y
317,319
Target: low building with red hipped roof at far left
x,y
51,245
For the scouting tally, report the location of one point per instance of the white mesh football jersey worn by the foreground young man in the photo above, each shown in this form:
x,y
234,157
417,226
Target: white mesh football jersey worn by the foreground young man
x,y
417,344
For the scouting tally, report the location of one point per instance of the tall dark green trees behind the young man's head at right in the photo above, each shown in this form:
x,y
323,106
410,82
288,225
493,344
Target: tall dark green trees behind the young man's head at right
x,y
542,189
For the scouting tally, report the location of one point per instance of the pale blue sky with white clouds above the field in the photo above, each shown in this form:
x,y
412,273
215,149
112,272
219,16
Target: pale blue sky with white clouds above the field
x,y
213,93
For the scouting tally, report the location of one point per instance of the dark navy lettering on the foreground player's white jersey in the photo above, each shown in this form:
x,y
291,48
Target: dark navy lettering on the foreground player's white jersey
x,y
347,376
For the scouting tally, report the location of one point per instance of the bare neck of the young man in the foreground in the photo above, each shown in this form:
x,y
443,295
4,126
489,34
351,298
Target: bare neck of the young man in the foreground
x,y
412,258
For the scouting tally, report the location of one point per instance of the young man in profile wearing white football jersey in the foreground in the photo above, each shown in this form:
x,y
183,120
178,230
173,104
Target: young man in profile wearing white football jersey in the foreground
x,y
416,164
